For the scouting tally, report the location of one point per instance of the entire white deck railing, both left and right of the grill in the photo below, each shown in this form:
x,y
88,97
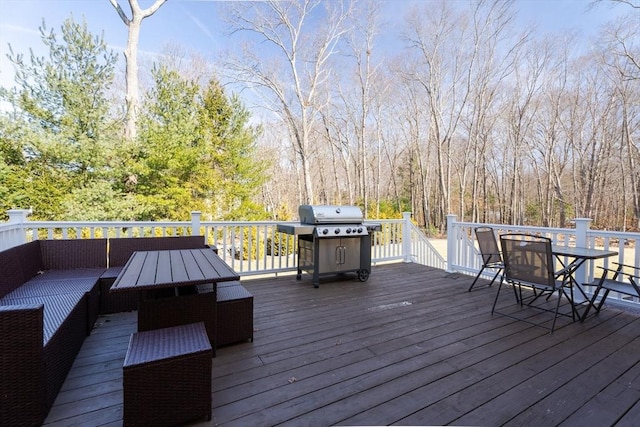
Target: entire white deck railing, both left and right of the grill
x,y
256,247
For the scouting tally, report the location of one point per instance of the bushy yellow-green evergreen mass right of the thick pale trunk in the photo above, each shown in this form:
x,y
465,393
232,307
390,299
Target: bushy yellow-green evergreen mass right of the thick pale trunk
x,y
195,151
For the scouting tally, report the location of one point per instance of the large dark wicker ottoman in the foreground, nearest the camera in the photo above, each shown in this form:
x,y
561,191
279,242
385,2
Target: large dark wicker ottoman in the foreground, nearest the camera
x,y
167,376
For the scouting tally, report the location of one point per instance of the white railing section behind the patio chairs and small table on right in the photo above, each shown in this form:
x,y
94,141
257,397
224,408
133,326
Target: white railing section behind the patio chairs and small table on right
x,y
463,255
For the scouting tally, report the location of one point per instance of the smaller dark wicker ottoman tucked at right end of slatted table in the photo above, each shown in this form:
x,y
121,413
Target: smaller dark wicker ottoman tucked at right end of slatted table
x,y
234,315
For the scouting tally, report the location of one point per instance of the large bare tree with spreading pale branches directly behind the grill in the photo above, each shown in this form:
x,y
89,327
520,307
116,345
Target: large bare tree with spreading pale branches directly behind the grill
x,y
292,63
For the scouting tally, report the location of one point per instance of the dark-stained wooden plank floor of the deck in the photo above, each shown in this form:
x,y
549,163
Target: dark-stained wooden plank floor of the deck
x,y
411,346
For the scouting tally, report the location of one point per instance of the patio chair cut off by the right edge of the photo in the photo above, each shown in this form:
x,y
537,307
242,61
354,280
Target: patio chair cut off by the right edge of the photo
x,y
629,287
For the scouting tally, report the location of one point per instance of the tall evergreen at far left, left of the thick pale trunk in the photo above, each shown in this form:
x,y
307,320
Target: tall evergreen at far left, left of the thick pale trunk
x,y
56,138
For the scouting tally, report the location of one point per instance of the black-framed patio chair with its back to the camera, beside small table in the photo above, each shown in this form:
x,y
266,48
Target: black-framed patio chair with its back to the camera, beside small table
x,y
529,263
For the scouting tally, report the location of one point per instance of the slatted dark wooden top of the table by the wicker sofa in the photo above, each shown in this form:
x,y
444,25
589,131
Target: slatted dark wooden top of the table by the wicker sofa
x,y
170,268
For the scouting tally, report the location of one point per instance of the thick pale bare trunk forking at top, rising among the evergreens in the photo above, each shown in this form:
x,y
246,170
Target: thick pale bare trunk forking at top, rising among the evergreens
x,y
131,56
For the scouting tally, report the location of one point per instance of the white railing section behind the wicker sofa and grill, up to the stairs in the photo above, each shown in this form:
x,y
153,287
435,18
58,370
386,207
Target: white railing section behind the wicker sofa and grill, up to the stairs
x,y
250,248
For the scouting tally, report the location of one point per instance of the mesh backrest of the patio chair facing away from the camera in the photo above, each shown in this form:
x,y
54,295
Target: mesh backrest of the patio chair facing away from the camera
x,y
528,259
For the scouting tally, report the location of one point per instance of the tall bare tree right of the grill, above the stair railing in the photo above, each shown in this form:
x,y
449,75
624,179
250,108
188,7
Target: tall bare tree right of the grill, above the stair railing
x,y
453,46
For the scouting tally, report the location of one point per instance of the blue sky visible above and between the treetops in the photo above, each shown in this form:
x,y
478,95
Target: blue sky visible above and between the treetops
x,y
194,24
